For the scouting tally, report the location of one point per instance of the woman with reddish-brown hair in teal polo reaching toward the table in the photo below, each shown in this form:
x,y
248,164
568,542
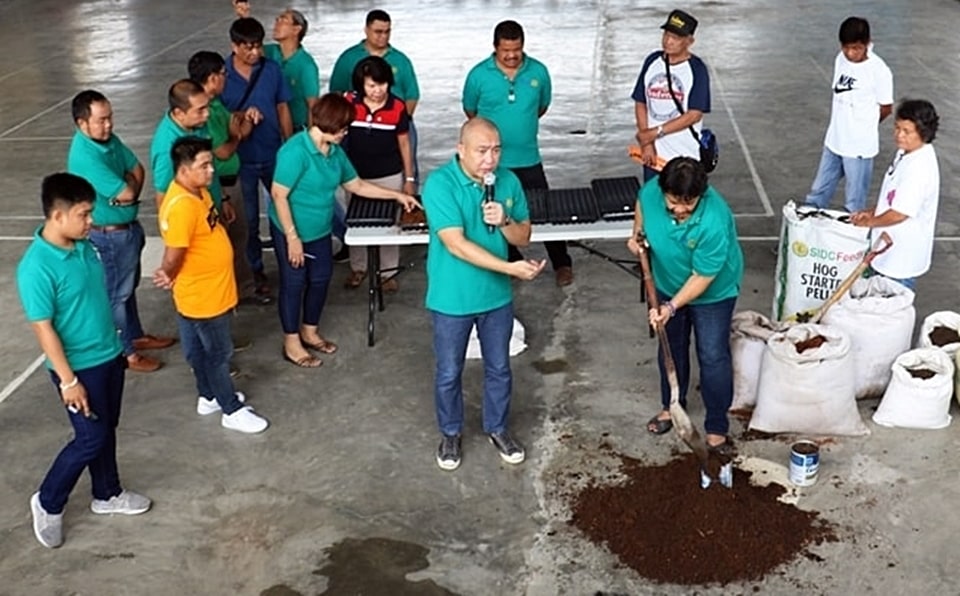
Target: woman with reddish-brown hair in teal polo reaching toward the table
x,y
310,168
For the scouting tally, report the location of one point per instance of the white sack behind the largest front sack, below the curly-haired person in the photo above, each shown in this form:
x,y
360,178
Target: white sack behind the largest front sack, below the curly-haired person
x,y
879,316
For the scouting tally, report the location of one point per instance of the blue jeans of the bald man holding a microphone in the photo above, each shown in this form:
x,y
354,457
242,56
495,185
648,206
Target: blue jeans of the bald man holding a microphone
x,y
450,337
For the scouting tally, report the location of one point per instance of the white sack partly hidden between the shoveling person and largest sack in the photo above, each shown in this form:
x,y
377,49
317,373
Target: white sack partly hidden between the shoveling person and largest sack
x,y
749,331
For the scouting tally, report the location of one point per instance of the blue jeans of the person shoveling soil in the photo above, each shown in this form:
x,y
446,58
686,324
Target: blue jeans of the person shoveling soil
x,y
711,325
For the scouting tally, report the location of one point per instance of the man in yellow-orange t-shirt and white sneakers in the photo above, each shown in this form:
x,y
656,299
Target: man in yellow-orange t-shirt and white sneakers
x,y
198,267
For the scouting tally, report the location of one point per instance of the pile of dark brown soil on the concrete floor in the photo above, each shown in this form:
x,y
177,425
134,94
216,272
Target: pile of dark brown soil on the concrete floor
x,y
661,524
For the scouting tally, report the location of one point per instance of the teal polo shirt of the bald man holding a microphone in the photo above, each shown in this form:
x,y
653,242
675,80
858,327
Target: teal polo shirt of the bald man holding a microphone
x,y
452,200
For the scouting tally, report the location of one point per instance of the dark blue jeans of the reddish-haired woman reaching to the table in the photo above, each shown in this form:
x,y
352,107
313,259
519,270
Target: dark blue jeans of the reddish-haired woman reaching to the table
x,y
303,290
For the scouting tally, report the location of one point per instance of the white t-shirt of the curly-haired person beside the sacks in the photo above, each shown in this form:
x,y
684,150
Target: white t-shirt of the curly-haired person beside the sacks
x,y
911,185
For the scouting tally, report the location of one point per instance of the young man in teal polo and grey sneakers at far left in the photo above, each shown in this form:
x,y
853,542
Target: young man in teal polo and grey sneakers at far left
x,y
60,282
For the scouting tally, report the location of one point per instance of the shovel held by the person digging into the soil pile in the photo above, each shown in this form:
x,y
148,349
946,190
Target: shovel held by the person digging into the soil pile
x,y
681,421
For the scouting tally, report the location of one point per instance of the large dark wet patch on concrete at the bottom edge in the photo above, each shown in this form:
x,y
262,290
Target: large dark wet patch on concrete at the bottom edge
x,y
377,566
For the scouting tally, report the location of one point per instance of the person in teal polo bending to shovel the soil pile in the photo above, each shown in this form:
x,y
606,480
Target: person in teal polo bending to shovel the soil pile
x,y
697,265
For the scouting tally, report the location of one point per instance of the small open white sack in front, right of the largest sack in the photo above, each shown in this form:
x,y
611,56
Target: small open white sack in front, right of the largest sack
x,y
911,402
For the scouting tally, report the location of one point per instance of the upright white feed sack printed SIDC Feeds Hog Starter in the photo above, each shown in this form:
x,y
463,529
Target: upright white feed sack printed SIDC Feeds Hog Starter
x,y
816,253
